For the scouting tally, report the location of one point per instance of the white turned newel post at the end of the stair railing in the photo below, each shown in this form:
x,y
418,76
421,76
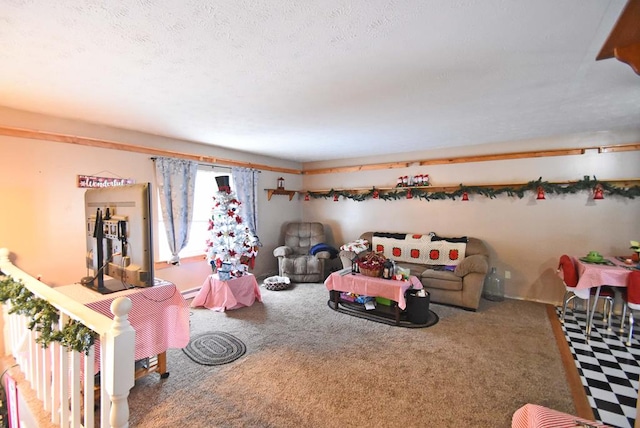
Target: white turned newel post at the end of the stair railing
x,y
120,371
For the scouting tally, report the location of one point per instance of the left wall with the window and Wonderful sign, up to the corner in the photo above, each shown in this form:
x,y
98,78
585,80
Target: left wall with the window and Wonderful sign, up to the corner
x,y
42,209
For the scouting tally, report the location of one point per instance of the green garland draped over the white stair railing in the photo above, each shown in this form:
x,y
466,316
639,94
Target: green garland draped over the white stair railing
x,y
43,318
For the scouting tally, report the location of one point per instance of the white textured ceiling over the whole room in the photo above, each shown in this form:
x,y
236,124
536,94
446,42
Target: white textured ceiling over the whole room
x,y
320,80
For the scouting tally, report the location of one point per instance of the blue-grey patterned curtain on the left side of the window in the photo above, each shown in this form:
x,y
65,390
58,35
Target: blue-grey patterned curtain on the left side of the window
x,y
176,180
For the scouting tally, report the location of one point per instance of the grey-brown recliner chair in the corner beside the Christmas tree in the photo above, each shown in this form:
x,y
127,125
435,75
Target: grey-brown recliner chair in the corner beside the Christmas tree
x,y
295,260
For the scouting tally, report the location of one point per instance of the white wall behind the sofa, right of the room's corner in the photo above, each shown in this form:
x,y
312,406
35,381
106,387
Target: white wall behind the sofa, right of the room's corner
x,y
524,236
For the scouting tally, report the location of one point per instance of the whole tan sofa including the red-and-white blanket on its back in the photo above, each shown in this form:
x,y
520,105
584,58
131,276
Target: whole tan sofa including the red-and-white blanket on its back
x,y
451,269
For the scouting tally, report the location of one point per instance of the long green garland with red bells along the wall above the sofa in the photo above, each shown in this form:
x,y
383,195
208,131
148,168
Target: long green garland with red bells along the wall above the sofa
x,y
585,184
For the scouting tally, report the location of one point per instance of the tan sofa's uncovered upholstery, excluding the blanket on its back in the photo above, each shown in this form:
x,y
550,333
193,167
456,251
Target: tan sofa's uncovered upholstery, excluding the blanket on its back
x,y
461,287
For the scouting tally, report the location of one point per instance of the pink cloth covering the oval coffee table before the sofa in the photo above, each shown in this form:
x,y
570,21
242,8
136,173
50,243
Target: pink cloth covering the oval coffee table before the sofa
x,y
370,286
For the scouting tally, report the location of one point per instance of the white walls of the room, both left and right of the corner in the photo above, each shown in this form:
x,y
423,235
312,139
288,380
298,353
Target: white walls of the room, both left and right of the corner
x,y
42,214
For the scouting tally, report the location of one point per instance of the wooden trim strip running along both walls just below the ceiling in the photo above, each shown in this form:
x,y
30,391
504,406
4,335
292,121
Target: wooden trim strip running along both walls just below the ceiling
x,y
107,144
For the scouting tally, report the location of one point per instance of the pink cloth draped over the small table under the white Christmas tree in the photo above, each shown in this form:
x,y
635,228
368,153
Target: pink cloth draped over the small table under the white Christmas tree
x,y
220,295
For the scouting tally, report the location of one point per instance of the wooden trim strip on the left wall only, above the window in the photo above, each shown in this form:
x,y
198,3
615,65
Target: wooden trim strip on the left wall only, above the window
x,y
106,144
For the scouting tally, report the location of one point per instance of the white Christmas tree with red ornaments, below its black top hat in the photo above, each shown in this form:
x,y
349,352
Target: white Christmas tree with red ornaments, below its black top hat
x,y
230,240
